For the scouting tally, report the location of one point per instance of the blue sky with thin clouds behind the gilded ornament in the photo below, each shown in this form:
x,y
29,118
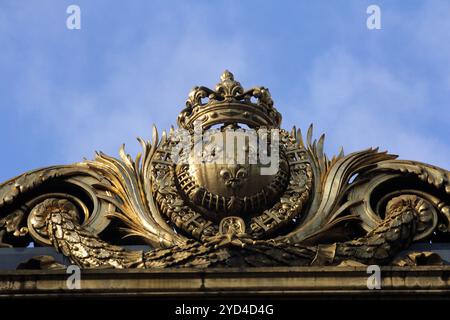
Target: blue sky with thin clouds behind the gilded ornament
x,y
66,93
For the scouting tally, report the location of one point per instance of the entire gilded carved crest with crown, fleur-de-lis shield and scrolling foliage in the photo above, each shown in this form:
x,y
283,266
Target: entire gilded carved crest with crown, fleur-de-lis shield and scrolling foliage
x,y
364,207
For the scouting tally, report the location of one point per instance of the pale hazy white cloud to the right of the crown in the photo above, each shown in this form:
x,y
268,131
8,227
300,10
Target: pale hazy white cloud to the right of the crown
x,y
365,105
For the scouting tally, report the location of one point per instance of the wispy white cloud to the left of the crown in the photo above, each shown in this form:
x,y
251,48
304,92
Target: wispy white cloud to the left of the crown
x,y
146,84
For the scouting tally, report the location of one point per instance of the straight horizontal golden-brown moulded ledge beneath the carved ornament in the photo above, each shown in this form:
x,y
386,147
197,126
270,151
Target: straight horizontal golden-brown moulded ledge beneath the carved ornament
x,y
303,282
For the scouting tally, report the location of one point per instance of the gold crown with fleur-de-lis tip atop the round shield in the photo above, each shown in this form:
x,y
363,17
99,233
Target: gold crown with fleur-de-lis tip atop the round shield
x,y
229,104
